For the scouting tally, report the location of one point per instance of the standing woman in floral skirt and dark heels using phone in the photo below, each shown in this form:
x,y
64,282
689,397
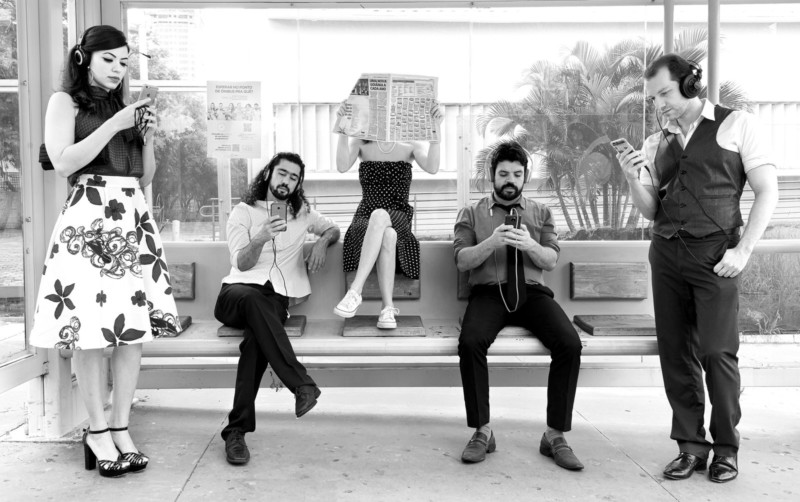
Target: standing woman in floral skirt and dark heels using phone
x,y
105,282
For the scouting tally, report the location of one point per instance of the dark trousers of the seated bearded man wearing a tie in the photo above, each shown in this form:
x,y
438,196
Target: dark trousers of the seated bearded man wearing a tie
x,y
486,315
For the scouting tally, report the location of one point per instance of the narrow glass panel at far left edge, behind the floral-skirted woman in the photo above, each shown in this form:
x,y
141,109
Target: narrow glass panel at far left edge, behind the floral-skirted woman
x,y
12,305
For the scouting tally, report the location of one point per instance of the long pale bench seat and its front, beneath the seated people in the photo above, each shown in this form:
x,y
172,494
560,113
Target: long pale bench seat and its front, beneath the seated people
x,y
199,358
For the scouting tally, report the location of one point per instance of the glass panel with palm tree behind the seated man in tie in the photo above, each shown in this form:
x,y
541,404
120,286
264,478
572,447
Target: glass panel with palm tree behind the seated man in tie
x,y
564,82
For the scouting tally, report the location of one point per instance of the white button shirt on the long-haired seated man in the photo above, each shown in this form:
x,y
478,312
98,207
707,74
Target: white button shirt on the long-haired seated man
x,y
288,273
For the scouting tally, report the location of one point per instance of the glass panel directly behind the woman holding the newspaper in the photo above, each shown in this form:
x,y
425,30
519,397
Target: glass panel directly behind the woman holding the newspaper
x,y
397,41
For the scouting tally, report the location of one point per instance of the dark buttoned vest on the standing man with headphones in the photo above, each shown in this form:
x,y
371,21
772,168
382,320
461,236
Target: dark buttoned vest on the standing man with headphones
x,y
700,184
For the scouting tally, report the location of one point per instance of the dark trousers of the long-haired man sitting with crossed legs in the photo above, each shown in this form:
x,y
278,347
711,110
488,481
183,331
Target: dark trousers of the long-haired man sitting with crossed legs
x,y
261,312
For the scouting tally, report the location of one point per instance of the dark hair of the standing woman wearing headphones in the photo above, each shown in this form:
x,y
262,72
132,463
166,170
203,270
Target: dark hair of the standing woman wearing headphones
x,y
76,69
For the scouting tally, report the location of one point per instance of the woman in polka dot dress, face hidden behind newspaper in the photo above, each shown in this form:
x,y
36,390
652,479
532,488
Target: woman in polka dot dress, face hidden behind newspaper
x,y
381,228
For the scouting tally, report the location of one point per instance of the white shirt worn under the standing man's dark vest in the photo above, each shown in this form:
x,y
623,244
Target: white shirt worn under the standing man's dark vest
x,y
738,133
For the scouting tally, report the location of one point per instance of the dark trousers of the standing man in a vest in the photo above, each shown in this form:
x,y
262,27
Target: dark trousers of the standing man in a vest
x,y
696,323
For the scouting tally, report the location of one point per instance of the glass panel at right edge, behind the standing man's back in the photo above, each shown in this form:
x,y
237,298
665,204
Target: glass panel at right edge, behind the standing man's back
x,y
756,38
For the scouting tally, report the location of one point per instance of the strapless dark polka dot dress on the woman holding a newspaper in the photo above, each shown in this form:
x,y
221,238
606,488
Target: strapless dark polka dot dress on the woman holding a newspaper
x,y
384,185
